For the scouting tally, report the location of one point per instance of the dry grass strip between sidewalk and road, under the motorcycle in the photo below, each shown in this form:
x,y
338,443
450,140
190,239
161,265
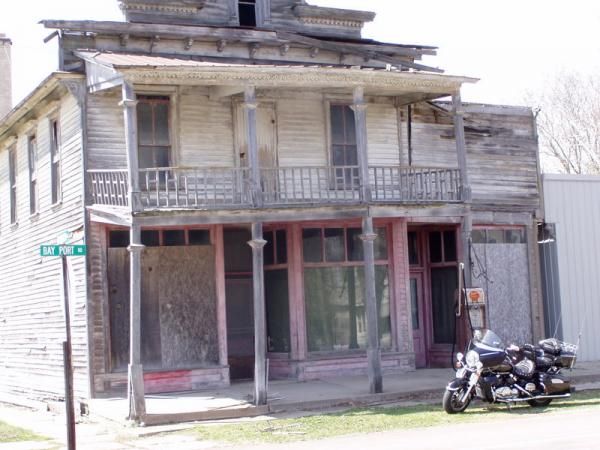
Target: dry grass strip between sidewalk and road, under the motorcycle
x,y
370,420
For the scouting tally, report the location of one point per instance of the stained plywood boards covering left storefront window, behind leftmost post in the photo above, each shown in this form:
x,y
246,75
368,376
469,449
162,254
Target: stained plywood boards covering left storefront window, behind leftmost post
x,y
179,310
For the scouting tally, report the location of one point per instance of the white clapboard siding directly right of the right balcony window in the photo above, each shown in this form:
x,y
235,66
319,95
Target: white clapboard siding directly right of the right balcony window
x,y
382,135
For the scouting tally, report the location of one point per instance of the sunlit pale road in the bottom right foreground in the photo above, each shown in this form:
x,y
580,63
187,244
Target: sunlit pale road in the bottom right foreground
x,y
578,428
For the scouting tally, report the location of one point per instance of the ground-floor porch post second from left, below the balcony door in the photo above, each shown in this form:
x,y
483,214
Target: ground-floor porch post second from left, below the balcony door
x,y
260,329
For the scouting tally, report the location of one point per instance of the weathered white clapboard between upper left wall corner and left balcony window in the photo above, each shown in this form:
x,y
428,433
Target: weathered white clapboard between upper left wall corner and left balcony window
x,y
106,132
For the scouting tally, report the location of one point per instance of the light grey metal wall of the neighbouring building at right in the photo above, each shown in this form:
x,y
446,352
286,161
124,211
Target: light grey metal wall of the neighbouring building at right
x,y
572,203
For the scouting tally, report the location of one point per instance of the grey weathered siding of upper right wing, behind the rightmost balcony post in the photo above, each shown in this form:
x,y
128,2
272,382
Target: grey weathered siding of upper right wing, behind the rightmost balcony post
x,y
501,152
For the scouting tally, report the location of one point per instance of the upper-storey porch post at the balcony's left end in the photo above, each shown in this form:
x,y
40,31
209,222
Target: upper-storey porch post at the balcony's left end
x,y
129,105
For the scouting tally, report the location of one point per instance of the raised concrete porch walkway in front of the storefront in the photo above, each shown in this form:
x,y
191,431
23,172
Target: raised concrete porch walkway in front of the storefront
x,y
286,396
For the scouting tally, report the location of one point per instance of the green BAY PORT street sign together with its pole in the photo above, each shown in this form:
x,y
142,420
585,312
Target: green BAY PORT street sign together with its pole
x,y
64,251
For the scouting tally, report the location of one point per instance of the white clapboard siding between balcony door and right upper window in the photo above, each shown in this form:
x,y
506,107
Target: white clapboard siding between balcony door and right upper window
x,y
302,132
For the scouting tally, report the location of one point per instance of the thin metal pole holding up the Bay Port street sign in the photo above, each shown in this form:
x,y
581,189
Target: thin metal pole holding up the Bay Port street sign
x,y
67,358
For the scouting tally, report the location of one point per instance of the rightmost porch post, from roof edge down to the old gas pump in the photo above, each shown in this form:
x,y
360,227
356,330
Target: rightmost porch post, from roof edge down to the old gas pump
x,y
461,152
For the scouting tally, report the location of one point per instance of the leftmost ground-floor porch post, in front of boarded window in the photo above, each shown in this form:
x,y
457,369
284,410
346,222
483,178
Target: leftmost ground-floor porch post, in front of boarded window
x,y
135,384
